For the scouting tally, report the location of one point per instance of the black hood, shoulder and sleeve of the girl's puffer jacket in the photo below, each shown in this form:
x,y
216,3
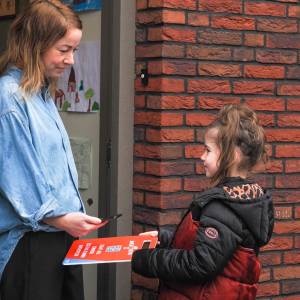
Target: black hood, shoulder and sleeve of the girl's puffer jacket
x,y
238,213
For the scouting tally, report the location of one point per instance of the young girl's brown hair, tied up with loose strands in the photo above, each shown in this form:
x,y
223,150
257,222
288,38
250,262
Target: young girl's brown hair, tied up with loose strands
x,y
237,126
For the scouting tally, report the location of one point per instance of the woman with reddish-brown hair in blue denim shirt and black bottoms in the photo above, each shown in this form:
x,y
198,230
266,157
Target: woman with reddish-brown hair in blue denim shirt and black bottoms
x,y
41,210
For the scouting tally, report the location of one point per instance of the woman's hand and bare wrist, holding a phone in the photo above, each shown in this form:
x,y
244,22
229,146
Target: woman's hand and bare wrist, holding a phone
x,y
76,224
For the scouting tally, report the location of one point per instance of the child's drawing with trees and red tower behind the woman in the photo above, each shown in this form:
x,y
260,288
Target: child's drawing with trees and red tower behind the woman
x,y
78,90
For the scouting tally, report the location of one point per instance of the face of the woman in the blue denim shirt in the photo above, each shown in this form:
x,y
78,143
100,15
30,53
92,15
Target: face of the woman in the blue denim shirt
x,y
61,54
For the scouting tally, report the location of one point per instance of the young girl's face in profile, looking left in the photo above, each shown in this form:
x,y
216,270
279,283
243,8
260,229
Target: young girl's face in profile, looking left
x,y
212,153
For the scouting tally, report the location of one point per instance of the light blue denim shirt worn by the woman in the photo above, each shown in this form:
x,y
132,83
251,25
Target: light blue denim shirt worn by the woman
x,y
38,177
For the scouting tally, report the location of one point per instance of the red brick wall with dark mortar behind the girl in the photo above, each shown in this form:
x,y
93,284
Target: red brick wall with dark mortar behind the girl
x,y
201,55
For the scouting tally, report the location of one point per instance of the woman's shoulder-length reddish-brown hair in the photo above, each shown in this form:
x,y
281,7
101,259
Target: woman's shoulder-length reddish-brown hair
x,y
34,31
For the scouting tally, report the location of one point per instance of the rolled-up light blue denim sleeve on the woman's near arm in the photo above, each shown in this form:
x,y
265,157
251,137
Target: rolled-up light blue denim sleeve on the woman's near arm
x,y
23,180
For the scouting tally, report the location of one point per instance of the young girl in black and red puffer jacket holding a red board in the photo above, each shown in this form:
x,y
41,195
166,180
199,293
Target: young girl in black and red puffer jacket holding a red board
x,y
213,253
